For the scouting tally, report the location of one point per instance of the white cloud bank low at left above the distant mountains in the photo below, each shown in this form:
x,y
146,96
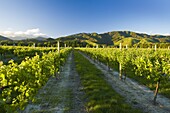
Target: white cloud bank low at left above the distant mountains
x,y
30,33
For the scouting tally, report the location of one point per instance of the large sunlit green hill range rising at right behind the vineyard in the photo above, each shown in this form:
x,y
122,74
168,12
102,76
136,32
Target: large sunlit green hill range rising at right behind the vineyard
x,y
116,37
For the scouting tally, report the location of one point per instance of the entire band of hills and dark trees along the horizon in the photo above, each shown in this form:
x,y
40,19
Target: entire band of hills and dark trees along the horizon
x,y
114,38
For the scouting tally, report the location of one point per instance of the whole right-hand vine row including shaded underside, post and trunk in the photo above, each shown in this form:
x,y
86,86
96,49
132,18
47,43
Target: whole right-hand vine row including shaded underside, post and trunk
x,y
145,65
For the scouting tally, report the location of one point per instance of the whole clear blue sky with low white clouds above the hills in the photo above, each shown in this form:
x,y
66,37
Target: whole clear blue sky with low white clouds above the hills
x,y
57,18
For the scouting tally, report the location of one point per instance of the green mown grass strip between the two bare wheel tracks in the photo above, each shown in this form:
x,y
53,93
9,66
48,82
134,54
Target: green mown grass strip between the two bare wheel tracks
x,y
101,98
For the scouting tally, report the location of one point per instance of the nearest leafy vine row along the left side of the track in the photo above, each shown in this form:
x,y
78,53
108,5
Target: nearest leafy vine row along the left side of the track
x,y
24,80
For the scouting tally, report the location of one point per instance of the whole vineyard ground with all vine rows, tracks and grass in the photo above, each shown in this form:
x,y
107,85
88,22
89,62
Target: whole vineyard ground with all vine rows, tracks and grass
x,y
97,80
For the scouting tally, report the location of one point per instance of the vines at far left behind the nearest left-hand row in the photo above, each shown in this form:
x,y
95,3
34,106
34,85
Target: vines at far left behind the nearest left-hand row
x,y
18,53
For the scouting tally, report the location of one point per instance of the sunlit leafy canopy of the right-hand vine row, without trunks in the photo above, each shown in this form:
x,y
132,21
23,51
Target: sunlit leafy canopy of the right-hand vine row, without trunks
x,y
144,62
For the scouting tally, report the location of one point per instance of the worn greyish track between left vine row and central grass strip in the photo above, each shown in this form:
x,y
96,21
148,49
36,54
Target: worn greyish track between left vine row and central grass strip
x,y
60,96
